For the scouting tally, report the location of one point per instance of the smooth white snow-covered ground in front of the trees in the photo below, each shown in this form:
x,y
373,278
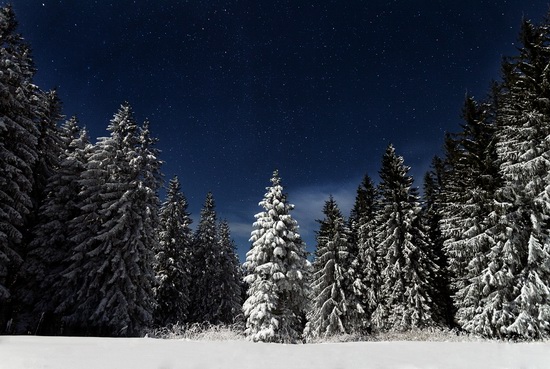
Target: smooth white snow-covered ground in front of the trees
x,y
32,352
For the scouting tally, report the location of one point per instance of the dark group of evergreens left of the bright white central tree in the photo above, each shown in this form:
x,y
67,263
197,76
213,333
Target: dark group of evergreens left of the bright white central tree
x,y
86,247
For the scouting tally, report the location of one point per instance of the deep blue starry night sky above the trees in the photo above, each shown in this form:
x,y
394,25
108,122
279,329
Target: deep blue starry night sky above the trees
x,y
235,89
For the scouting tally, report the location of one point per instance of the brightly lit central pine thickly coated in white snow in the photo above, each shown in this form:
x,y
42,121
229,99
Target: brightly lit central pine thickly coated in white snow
x,y
277,272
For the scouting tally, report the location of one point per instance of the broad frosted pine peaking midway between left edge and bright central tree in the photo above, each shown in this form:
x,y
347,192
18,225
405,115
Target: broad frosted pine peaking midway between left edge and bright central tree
x,y
110,272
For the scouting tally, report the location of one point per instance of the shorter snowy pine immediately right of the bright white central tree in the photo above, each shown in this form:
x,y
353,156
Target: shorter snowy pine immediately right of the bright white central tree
x,y
334,307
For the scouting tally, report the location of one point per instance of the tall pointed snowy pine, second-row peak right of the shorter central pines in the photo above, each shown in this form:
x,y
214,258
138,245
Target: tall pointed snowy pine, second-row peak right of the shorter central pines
x,y
406,297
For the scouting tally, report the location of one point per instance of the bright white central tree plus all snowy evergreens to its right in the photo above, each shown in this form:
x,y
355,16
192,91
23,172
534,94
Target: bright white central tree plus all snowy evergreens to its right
x,y
472,254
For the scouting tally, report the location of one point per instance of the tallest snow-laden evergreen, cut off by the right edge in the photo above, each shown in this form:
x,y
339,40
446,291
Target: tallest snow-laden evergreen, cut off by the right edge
x,y
516,282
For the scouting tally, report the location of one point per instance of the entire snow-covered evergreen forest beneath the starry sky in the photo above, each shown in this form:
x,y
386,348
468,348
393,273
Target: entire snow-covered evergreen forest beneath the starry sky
x,y
87,247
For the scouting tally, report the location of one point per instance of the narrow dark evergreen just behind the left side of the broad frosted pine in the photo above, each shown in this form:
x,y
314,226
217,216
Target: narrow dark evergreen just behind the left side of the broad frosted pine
x,y
50,246
